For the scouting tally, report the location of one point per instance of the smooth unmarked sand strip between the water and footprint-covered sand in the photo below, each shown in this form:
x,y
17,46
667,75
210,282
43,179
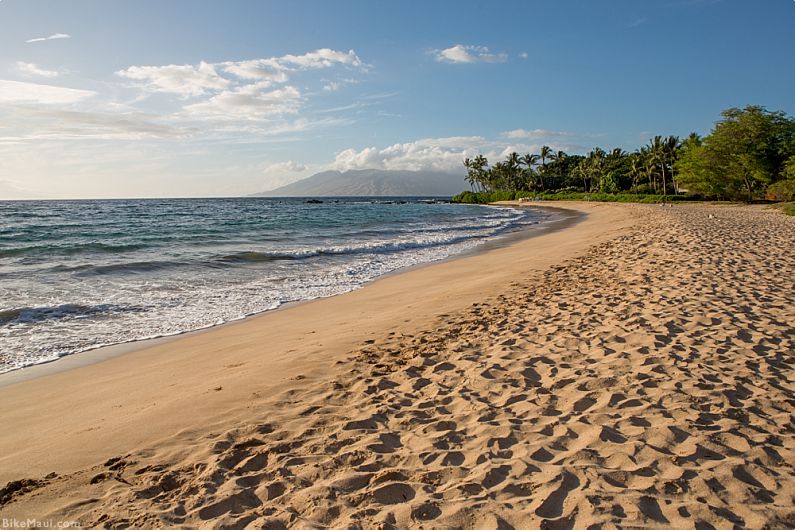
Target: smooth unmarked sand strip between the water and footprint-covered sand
x,y
94,412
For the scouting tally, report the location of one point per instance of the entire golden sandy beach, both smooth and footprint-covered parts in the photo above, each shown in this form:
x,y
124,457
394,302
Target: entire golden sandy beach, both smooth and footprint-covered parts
x,y
632,370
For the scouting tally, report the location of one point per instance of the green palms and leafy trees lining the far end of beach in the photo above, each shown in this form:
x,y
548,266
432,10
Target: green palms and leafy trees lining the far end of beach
x,y
749,155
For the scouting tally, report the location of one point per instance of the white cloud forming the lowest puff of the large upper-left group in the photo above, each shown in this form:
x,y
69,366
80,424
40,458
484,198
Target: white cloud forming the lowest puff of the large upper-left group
x,y
248,102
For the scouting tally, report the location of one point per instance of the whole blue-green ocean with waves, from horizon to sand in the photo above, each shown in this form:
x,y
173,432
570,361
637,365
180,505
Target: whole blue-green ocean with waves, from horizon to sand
x,y
77,275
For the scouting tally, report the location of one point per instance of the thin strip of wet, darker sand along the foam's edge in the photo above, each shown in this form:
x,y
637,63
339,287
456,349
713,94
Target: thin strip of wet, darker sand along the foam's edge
x,y
102,353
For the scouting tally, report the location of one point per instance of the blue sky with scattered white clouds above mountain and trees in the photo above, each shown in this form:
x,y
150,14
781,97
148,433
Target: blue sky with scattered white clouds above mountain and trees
x,y
186,98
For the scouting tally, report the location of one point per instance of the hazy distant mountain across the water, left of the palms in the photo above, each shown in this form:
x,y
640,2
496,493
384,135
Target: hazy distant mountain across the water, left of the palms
x,y
372,183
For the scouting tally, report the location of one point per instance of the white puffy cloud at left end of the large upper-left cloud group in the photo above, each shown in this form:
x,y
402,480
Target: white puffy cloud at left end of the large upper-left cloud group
x,y
184,80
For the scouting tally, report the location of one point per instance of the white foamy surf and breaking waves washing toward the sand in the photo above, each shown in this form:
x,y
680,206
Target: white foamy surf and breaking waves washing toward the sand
x,y
124,298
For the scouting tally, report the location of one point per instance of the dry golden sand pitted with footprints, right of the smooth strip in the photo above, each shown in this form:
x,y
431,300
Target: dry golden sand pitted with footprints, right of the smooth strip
x,y
646,383
